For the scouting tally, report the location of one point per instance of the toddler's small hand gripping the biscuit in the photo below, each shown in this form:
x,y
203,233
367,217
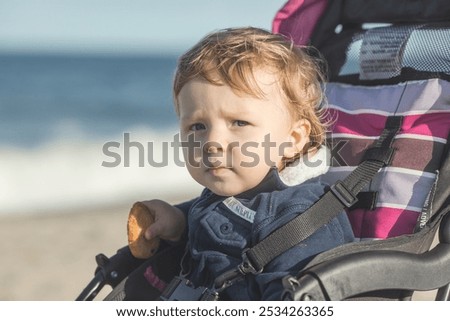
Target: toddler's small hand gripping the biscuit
x,y
169,224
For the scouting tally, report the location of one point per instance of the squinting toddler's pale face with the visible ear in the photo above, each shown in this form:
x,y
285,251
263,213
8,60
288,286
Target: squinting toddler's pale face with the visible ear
x,y
236,138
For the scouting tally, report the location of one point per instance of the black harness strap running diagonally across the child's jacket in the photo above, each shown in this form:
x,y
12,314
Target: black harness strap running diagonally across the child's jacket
x,y
343,194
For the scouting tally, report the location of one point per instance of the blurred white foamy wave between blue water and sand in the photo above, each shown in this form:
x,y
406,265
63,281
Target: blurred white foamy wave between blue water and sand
x,y
67,173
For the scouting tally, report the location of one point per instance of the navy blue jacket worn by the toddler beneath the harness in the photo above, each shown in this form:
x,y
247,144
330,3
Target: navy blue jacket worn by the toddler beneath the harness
x,y
220,228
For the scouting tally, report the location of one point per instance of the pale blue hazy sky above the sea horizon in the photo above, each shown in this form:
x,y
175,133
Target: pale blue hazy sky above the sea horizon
x,y
123,26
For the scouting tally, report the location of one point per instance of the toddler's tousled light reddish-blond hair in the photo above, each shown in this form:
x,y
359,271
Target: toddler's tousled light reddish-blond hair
x,y
230,57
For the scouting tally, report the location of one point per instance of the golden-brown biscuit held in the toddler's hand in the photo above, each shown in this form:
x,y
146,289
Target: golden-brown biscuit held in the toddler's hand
x,y
139,219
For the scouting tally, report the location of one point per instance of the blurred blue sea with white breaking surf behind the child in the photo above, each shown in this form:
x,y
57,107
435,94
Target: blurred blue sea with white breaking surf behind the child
x,y
85,131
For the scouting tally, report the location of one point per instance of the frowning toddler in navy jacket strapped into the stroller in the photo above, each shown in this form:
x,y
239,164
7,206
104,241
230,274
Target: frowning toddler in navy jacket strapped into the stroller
x,y
248,103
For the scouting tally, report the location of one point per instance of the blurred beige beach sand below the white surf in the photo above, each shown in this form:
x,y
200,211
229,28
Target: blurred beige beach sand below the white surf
x,y
52,257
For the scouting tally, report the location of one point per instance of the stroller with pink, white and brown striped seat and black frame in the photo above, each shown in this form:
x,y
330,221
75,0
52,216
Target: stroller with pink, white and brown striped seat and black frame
x,y
389,98
